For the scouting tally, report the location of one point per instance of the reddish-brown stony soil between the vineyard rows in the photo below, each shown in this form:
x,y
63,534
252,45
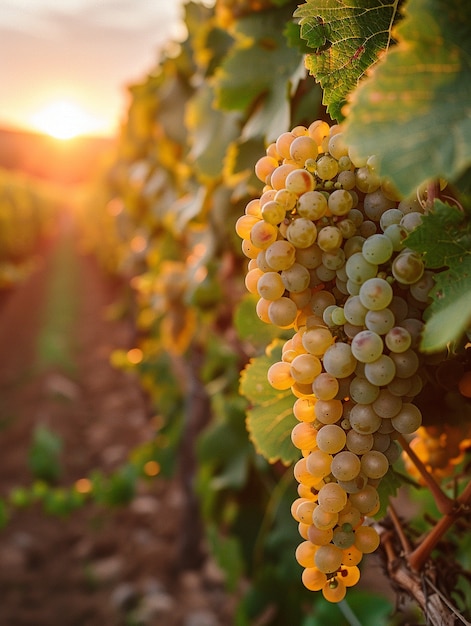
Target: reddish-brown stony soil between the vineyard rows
x,y
99,566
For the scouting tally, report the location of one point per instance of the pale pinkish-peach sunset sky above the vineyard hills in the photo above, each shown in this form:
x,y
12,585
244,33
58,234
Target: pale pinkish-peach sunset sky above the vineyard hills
x,y
72,59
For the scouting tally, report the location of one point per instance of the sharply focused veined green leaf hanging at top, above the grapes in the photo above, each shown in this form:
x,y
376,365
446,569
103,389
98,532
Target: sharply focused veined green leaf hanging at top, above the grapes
x,y
347,37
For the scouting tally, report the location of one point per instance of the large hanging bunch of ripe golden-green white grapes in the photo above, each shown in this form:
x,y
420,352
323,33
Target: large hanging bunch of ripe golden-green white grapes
x,y
328,259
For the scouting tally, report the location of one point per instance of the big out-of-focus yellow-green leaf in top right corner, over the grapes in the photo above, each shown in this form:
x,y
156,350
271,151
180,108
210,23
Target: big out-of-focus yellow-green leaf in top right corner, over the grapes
x,y
413,112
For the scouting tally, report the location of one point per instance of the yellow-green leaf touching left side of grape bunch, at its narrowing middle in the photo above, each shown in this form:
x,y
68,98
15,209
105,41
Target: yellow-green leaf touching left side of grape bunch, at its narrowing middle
x,y
270,420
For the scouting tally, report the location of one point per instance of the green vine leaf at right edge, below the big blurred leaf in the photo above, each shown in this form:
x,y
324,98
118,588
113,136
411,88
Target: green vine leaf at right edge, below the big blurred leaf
x,y
444,237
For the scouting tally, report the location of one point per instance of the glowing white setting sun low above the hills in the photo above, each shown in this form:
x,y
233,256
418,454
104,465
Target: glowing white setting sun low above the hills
x,y
64,120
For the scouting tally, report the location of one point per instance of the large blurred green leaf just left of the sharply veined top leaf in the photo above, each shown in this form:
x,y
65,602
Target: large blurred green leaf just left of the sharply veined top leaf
x,y
259,70
